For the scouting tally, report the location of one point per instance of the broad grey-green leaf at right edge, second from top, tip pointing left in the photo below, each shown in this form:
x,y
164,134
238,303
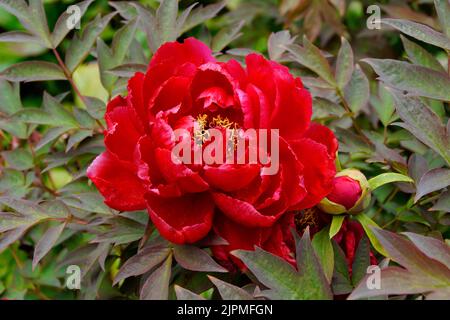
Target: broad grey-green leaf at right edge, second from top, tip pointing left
x,y
417,80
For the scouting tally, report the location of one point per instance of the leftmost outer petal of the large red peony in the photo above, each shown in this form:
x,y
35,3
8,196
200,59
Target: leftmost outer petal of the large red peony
x,y
117,182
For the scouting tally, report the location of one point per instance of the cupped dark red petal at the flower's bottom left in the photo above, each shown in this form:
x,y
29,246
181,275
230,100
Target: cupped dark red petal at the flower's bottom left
x,y
184,219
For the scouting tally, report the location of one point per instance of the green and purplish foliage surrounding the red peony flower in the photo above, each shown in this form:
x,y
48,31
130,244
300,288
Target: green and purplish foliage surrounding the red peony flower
x,y
53,90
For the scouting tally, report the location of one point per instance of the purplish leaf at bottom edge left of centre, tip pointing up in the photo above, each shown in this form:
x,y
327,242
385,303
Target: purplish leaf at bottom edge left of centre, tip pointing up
x,y
156,287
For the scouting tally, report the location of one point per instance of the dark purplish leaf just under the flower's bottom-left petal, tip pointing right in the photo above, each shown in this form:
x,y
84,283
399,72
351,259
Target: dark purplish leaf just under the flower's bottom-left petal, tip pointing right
x,y
195,259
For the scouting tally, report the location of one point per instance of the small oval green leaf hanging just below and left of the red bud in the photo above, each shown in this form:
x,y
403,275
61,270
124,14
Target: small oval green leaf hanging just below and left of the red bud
x,y
324,251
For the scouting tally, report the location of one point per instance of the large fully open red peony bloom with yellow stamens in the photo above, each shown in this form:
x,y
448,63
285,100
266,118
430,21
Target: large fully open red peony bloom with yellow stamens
x,y
183,87
